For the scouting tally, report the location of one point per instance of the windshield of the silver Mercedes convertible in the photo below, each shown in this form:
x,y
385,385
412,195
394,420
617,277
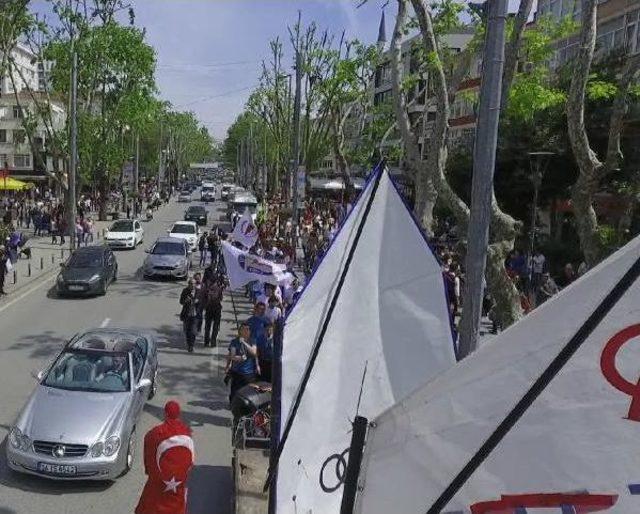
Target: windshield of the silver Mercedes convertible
x,y
98,372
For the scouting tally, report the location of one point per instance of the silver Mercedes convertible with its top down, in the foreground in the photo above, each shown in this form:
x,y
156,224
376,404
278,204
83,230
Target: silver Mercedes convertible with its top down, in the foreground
x,y
80,421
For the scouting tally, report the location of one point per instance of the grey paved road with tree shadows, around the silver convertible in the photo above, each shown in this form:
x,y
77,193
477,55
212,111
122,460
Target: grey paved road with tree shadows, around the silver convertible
x,y
34,325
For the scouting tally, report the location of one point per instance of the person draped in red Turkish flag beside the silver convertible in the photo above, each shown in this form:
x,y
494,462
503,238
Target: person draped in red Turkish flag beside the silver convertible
x,y
168,458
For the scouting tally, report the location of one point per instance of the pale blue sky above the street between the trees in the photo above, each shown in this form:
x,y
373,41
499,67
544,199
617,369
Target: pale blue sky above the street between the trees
x,y
209,51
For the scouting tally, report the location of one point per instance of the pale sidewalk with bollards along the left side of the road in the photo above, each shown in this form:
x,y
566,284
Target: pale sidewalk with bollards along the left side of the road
x,y
45,258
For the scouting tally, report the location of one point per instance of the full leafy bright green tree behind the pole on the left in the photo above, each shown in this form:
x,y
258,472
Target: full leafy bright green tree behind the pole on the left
x,y
116,89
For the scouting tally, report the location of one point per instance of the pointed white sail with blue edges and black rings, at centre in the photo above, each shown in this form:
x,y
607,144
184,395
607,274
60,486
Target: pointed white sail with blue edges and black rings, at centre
x,y
390,318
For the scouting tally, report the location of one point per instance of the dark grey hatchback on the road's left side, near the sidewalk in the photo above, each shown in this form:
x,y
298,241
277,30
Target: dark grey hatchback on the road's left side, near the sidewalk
x,y
89,270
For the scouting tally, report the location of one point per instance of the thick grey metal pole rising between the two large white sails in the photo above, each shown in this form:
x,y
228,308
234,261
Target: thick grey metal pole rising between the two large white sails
x,y
484,161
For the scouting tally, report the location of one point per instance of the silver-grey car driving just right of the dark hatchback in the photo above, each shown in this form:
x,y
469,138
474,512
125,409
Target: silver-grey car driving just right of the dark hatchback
x,y
168,257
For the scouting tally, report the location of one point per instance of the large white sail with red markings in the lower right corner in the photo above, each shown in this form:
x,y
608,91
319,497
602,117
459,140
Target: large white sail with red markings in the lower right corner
x,y
543,418
